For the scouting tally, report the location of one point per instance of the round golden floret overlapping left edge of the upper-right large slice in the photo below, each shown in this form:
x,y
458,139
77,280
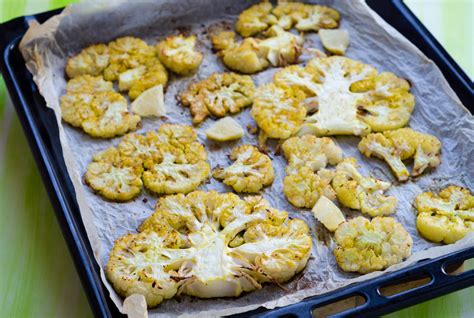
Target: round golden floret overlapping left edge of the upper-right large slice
x,y
277,111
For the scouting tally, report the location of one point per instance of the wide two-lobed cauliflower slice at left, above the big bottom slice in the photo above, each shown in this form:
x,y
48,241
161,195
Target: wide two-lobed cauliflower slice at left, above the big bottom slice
x,y
167,161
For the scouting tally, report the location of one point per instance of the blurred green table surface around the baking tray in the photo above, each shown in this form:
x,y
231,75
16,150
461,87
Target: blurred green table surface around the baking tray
x,y
38,278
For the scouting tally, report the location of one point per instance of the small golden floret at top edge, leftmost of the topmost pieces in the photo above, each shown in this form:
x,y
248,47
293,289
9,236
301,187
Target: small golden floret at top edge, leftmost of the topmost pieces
x,y
255,19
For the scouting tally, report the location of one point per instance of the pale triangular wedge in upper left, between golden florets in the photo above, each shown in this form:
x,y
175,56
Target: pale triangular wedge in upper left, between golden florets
x,y
150,103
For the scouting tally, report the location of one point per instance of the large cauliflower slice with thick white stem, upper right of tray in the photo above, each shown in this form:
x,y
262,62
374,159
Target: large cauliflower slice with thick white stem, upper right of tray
x,y
348,97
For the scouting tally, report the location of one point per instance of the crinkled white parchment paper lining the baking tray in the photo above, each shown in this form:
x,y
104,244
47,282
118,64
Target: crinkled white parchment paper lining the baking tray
x,y
438,111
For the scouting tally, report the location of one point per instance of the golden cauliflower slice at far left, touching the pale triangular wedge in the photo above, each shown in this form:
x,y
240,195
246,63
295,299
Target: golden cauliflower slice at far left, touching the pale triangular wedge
x,y
91,104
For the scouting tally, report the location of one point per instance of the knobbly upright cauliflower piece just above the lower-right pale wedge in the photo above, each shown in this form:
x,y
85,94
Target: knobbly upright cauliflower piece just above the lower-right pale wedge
x,y
306,179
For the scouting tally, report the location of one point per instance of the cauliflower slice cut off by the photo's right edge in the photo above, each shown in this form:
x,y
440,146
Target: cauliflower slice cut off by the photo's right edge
x,y
446,217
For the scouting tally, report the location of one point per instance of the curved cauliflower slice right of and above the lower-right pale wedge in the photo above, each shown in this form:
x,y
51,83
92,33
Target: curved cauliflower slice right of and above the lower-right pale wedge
x,y
362,193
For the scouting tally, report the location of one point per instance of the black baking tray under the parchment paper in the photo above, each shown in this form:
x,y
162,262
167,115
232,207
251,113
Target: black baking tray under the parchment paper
x,y
40,127
